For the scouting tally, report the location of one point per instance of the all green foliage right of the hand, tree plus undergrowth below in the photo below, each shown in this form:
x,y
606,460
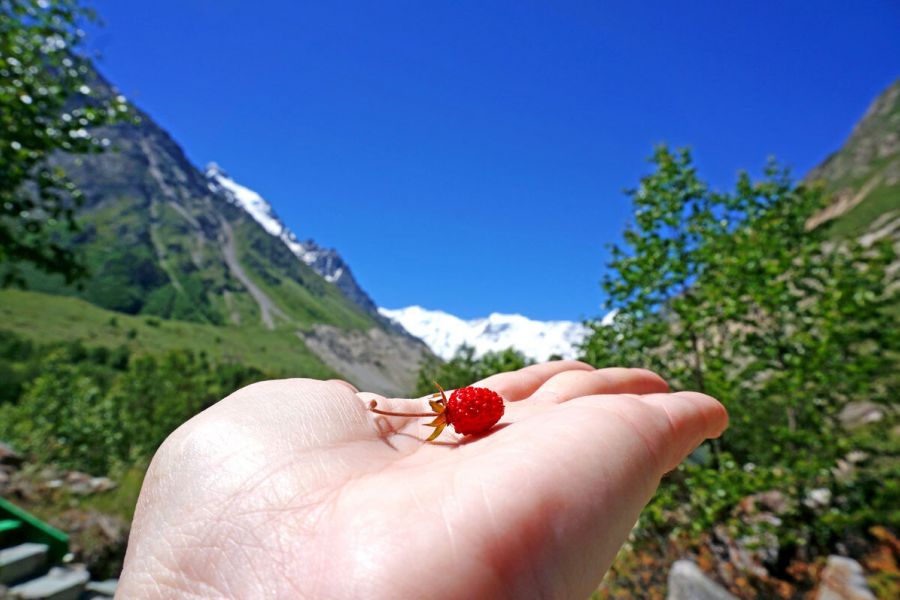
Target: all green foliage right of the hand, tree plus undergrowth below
x,y
732,295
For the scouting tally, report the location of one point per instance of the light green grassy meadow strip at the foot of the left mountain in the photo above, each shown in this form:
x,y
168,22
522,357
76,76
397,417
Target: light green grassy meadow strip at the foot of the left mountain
x,y
47,318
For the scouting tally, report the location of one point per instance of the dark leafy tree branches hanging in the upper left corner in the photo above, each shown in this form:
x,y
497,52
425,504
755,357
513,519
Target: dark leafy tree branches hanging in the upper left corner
x,y
46,106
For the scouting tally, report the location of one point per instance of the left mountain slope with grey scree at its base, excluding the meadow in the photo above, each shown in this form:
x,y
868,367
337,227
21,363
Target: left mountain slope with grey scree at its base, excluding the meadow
x,y
162,239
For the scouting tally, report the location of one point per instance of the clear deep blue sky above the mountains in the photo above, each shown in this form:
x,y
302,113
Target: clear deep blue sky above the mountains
x,y
470,156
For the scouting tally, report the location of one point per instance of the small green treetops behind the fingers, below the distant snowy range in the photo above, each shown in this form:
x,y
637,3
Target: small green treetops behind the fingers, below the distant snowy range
x,y
464,369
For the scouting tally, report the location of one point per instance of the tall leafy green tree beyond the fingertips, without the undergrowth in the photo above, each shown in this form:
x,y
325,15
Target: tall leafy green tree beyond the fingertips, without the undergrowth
x,y
732,295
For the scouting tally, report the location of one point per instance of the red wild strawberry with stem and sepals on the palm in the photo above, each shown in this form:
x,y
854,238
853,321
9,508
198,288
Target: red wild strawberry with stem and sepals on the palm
x,y
470,410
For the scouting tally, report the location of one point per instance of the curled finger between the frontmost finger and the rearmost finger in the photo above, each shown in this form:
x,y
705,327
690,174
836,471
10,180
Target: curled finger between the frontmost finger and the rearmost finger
x,y
573,384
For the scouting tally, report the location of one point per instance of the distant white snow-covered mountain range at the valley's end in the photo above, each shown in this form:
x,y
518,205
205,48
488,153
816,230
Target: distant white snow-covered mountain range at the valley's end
x,y
444,333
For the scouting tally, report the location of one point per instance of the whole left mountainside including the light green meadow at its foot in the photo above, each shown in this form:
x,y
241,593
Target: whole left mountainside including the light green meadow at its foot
x,y
159,241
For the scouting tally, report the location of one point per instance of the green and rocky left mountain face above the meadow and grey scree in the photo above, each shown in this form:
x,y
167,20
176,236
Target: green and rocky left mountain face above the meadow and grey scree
x,y
158,241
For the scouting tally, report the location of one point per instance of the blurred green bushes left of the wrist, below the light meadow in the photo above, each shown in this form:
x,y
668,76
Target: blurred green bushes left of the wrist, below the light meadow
x,y
96,409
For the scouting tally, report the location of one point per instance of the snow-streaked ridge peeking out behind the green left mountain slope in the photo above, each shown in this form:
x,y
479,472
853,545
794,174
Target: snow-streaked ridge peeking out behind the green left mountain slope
x,y
324,261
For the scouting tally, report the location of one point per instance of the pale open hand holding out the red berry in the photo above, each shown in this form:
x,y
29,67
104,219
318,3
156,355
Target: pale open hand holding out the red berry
x,y
293,489
